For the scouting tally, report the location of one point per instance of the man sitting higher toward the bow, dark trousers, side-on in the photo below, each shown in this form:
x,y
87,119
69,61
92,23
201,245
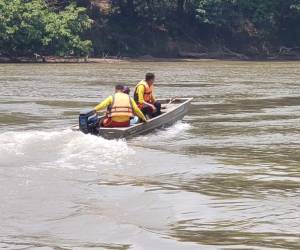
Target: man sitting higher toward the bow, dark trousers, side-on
x,y
144,96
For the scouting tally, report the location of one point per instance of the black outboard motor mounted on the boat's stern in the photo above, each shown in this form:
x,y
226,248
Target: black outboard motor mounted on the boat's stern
x,y
88,121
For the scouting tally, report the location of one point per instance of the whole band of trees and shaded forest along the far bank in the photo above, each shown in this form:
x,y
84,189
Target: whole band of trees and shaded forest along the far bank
x,y
177,28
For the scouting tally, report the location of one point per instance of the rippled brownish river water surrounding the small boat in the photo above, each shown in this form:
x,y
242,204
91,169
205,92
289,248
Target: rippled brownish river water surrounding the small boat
x,y
226,177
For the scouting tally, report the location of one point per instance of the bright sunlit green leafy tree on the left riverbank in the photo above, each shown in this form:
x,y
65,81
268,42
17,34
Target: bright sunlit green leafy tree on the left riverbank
x,y
28,27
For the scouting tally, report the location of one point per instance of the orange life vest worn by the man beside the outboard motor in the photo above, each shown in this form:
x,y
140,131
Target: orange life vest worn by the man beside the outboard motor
x,y
121,106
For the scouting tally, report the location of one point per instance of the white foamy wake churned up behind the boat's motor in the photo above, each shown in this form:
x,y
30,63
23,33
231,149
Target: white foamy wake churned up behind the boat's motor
x,y
63,149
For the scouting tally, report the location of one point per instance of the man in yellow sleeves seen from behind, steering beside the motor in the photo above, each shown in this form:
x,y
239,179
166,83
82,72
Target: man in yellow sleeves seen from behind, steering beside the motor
x,y
120,108
